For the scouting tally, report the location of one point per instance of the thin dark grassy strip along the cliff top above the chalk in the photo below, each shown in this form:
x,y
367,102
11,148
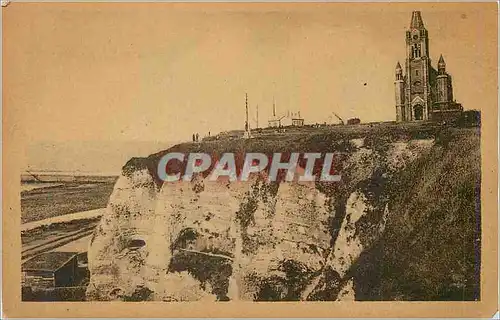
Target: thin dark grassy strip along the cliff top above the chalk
x,y
305,139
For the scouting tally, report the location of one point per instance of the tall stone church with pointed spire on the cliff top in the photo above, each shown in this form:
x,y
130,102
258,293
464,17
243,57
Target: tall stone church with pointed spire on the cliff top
x,y
422,92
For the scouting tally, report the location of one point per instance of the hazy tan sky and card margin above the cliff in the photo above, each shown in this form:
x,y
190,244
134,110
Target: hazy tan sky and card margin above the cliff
x,y
123,72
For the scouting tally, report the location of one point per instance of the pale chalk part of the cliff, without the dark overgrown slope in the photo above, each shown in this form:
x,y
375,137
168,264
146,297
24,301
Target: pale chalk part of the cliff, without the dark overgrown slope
x,y
254,240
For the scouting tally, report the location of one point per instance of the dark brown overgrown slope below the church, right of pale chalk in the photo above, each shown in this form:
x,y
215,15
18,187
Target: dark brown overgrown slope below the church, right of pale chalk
x,y
430,249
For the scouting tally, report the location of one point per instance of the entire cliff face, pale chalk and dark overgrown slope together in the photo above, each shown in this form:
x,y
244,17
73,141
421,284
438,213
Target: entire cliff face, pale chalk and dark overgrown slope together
x,y
255,240
